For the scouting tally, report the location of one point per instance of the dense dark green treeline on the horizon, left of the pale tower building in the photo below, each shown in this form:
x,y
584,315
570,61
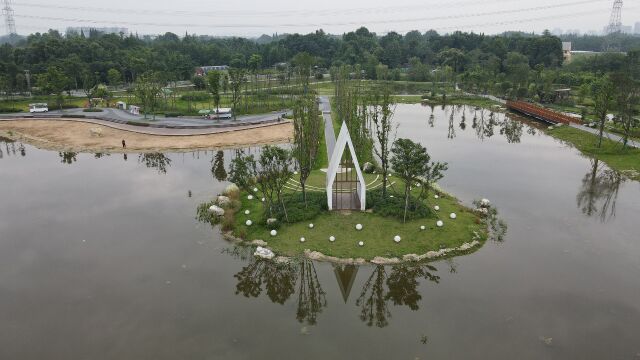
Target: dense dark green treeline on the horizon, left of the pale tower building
x,y
176,57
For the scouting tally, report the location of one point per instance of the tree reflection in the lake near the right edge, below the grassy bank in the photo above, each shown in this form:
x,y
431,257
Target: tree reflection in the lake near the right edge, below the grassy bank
x,y
599,192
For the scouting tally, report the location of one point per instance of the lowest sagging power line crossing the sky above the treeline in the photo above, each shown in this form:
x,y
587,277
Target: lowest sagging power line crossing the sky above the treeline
x,y
317,25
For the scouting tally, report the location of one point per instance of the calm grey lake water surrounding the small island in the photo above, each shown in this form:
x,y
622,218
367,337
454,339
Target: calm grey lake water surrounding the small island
x,y
101,257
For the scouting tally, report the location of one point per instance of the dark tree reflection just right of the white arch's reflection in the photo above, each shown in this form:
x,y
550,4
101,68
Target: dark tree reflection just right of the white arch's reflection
x,y
401,289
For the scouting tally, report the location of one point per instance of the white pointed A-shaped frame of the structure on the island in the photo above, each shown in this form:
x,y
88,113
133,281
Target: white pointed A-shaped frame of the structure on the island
x,y
344,141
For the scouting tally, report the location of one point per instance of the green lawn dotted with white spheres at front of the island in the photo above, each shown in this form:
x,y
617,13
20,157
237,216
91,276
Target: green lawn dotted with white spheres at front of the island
x,y
378,232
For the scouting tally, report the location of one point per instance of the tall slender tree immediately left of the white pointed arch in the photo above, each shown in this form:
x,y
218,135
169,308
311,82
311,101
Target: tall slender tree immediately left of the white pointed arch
x,y
307,128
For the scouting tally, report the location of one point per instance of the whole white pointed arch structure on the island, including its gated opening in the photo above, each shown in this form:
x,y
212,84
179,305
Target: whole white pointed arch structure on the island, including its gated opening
x,y
345,191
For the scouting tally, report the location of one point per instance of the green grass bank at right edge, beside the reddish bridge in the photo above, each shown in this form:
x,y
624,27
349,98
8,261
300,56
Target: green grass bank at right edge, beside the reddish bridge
x,y
611,152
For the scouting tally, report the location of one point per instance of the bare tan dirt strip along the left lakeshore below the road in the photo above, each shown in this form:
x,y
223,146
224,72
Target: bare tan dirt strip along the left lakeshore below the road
x,y
86,137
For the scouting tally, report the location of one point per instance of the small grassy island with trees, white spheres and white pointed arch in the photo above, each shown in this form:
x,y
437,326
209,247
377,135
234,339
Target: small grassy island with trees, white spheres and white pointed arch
x,y
387,210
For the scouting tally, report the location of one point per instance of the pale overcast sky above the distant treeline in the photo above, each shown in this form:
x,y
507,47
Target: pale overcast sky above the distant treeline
x,y
255,17
